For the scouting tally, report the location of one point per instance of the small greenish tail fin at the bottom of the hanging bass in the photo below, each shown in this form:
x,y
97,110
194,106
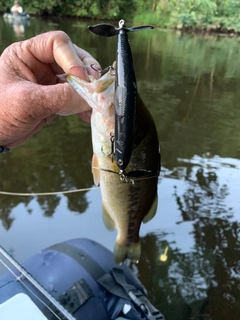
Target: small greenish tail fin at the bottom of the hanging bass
x,y
123,252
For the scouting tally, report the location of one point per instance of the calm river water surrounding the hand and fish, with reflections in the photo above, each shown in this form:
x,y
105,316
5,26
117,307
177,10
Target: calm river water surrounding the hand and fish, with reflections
x,y
190,84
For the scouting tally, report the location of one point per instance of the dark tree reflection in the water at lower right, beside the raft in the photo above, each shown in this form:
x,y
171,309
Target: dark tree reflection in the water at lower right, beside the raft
x,y
204,282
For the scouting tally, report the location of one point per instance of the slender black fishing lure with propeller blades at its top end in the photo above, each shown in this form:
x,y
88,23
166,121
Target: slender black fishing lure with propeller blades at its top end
x,y
125,96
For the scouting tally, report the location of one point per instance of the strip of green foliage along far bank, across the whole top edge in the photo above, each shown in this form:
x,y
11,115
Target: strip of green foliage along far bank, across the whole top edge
x,y
165,13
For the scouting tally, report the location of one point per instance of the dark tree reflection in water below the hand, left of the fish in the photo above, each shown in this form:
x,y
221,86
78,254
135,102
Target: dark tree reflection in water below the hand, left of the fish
x,y
23,171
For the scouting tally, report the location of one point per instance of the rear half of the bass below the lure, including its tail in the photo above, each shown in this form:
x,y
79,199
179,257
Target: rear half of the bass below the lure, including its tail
x,y
125,206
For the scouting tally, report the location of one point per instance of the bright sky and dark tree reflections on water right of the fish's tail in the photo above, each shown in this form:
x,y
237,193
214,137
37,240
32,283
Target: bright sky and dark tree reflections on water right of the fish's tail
x,y
200,277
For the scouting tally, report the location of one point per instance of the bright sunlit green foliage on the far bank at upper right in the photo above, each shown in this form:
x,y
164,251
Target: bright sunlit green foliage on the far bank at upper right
x,y
216,14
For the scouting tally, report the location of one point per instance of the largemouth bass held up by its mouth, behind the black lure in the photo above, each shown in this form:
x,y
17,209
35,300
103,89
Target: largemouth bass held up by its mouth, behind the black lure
x,y
131,198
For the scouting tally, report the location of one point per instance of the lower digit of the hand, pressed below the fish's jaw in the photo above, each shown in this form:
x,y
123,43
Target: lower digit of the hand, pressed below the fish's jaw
x,y
59,99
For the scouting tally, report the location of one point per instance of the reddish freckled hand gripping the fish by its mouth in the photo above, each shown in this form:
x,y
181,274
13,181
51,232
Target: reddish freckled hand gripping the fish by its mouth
x,y
31,94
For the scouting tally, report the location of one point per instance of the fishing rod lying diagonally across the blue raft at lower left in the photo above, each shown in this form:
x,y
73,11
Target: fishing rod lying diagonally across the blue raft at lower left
x,y
36,284
